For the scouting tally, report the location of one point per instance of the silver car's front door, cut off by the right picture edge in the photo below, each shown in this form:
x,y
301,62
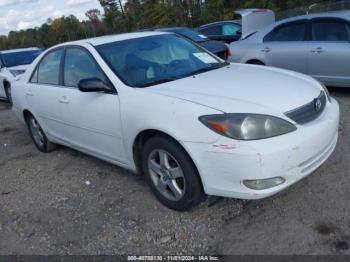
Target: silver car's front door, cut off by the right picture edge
x,y
329,52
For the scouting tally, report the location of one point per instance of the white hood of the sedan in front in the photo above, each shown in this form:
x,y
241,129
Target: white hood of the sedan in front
x,y
244,88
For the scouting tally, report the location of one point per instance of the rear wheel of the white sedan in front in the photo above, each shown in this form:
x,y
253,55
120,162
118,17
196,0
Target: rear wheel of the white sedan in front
x,y
38,136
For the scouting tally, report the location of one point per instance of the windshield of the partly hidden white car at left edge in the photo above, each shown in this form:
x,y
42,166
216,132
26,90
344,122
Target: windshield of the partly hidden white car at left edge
x,y
20,58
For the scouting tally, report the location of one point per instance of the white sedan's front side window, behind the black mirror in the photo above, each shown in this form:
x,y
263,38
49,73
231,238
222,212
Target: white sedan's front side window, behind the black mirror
x,y
80,65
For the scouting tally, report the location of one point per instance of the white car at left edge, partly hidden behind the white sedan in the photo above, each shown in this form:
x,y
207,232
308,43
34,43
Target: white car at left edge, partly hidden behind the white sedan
x,y
12,64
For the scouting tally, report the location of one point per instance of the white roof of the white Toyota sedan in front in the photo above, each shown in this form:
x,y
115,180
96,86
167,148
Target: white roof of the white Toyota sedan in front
x,y
115,38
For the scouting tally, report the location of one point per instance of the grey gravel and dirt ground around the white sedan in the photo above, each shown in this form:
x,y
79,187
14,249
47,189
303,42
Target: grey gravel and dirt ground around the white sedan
x,y
68,203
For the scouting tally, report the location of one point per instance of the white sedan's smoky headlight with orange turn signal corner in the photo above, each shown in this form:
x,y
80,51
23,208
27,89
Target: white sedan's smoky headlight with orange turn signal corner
x,y
247,126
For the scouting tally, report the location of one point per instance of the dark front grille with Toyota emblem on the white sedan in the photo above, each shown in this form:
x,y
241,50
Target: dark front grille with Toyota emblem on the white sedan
x,y
310,111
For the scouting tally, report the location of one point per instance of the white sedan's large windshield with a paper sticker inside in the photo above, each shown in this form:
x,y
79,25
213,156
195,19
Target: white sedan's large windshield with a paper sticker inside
x,y
152,60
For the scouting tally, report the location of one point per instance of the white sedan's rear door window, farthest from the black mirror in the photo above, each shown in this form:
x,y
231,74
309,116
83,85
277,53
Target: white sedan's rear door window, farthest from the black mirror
x,y
48,70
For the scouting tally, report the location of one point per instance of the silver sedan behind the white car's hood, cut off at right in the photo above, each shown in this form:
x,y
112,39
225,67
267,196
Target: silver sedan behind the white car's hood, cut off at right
x,y
316,44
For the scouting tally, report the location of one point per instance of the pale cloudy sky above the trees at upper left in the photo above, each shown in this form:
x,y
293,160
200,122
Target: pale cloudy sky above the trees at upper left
x,y
24,14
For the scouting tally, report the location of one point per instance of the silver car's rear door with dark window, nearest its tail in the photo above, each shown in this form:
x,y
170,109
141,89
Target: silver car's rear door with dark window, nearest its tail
x,y
287,45
